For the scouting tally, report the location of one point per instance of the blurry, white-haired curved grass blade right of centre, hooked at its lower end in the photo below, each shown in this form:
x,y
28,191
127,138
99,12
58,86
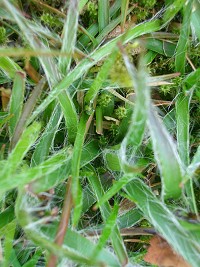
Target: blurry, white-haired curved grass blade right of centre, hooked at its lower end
x,y
137,126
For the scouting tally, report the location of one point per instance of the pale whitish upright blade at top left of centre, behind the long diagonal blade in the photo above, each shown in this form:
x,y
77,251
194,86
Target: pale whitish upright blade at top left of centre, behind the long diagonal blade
x,y
69,36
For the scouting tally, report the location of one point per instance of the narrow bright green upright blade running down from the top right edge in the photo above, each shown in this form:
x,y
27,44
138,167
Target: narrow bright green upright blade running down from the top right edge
x,y
181,50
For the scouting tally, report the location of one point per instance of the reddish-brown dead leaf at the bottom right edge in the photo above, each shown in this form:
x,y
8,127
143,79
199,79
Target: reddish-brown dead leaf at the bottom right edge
x,y
161,254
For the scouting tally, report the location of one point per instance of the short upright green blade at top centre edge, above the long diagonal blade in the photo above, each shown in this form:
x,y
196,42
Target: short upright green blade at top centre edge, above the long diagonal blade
x,y
103,14
